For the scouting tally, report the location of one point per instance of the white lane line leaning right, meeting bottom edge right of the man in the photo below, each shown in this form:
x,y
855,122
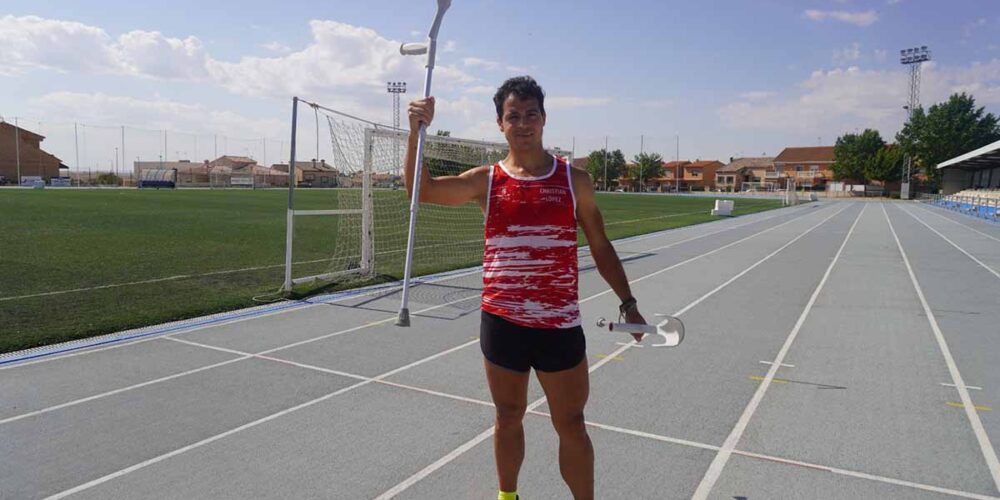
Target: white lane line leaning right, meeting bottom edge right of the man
x,y
719,462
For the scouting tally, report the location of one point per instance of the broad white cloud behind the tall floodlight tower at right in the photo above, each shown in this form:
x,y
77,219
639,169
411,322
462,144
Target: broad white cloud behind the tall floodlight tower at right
x,y
831,102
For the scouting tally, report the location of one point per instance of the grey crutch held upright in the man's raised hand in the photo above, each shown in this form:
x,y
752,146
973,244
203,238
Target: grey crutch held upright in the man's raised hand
x,y
408,49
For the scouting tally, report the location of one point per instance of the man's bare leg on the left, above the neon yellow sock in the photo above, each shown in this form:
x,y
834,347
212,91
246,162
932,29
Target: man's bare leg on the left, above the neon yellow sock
x,y
509,389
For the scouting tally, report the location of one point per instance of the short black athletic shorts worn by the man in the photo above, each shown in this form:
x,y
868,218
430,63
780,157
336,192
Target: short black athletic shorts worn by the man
x,y
521,348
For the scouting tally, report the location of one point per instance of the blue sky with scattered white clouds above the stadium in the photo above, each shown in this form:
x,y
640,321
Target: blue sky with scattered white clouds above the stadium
x,y
708,80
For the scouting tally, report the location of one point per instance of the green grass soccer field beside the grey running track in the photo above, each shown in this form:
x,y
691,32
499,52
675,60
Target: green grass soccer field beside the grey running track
x,y
69,259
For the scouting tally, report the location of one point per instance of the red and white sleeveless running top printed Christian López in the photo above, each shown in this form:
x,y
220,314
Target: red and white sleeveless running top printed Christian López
x,y
530,271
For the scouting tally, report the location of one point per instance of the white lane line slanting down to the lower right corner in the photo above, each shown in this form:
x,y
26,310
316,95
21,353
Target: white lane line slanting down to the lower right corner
x,y
956,378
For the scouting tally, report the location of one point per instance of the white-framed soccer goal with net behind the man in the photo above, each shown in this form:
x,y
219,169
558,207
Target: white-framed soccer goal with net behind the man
x,y
358,230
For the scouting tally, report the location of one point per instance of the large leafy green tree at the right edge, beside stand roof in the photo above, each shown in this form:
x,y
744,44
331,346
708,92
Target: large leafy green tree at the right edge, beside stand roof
x,y
947,130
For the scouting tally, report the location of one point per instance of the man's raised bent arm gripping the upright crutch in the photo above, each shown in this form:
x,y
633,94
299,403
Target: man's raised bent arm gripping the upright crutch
x,y
459,189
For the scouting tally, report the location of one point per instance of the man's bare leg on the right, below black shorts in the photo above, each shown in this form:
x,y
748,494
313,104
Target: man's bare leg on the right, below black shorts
x,y
567,393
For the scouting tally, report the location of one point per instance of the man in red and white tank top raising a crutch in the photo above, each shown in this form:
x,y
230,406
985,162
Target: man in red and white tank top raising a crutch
x,y
530,312
